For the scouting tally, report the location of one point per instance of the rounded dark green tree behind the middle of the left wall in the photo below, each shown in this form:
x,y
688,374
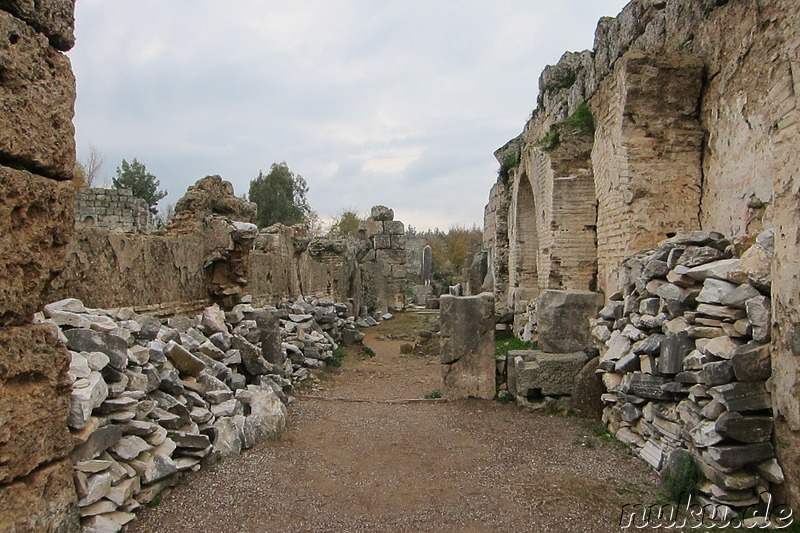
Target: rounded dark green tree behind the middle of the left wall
x,y
280,196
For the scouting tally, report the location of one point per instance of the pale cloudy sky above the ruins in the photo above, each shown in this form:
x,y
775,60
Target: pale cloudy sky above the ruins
x,y
393,102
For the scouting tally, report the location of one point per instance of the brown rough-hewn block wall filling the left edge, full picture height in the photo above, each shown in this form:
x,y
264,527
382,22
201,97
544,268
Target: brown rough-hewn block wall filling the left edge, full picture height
x,y
37,158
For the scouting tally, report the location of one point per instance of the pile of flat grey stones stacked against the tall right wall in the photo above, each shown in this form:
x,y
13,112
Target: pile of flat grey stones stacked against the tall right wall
x,y
685,359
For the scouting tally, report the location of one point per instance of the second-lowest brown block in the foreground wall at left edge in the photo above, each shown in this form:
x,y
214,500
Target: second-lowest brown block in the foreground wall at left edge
x,y
34,400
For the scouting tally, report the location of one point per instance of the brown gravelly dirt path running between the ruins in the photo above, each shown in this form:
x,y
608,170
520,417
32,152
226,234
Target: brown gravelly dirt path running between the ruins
x,y
466,466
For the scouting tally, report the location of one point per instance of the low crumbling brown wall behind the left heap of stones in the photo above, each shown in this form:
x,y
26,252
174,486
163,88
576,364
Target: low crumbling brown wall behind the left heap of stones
x,y
211,252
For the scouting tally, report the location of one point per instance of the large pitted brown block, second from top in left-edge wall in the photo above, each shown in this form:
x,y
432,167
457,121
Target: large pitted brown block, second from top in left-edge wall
x,y
37,94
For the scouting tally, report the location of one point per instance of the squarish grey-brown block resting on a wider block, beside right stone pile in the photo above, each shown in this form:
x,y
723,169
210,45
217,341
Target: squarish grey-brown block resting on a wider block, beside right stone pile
x,y
563,320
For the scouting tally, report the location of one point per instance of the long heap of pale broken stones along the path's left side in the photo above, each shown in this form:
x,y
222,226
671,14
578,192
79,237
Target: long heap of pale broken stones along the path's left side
x,y
150,400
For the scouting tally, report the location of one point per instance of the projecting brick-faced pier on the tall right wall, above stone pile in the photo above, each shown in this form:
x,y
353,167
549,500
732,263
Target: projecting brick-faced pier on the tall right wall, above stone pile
x,y
647,155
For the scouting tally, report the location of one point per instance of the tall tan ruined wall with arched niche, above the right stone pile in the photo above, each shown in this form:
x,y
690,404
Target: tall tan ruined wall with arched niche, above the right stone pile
x,y
695,127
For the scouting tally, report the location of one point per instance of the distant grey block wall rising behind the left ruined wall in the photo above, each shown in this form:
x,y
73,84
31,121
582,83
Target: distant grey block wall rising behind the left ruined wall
x,y
112,209
